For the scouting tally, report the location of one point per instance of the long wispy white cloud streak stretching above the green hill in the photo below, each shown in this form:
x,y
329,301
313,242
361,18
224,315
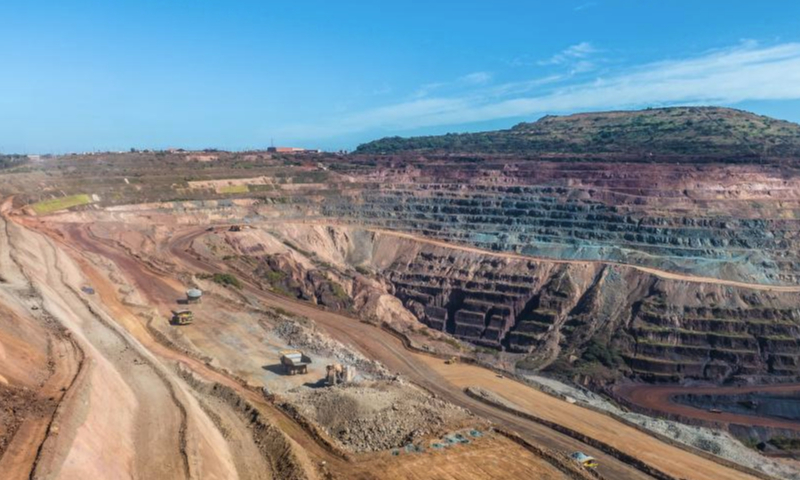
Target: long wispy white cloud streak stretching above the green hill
x,y
729,76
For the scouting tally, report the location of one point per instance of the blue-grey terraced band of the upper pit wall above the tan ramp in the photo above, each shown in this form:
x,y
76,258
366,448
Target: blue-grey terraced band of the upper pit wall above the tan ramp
x,y
566,223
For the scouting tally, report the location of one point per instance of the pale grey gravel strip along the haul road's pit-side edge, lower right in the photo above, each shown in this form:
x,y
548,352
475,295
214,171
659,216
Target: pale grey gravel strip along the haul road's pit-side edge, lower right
x,y
713,441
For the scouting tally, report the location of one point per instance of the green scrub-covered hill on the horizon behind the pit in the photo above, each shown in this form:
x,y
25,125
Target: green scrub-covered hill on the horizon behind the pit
x,y
702,131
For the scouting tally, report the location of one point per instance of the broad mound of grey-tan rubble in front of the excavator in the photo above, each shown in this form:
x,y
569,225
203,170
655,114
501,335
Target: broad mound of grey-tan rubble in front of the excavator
x,y
379,415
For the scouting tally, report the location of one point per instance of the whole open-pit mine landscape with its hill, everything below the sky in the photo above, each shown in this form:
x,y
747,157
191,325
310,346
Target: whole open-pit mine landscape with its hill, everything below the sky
x,y
610,295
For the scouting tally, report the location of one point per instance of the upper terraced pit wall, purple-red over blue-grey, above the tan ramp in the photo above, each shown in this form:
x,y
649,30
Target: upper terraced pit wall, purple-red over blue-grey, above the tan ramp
x,y
737,223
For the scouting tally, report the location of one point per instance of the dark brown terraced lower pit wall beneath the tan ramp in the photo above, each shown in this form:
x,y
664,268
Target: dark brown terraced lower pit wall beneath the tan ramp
x,y
583,317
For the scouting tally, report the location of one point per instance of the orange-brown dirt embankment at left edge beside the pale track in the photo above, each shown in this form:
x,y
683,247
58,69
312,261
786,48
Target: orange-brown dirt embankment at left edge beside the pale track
x,y
39,364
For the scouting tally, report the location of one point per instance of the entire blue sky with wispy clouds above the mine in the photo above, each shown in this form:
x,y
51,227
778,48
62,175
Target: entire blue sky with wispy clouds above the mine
x,y
78,75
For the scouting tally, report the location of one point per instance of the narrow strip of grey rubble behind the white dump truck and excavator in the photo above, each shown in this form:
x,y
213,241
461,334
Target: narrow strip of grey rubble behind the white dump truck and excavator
x,y
308,338
